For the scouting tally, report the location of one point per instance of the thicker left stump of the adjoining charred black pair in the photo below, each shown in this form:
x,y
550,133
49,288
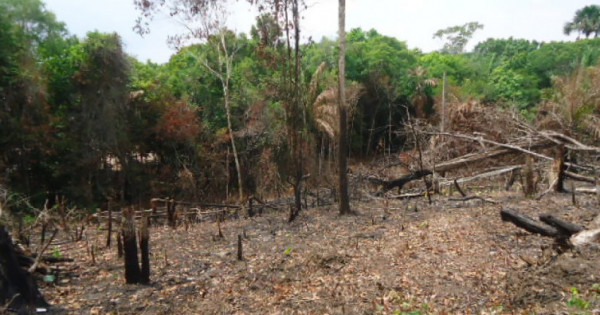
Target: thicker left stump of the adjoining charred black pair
x,y
132,267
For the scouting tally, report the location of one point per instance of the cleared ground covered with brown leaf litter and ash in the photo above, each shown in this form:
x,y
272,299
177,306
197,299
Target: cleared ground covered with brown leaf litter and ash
x,y
393,257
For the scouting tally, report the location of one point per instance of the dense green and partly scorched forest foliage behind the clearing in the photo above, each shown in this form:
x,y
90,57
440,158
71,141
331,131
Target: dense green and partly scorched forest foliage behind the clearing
x,y
81,119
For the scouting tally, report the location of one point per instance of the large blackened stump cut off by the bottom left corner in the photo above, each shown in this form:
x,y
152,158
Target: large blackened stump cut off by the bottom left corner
x,y
18,290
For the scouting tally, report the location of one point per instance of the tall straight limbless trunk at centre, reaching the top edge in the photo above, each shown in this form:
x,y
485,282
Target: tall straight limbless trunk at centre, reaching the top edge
x,y
343,135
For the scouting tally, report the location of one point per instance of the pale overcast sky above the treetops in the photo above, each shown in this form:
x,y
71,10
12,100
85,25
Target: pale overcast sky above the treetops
x,y
412,21
